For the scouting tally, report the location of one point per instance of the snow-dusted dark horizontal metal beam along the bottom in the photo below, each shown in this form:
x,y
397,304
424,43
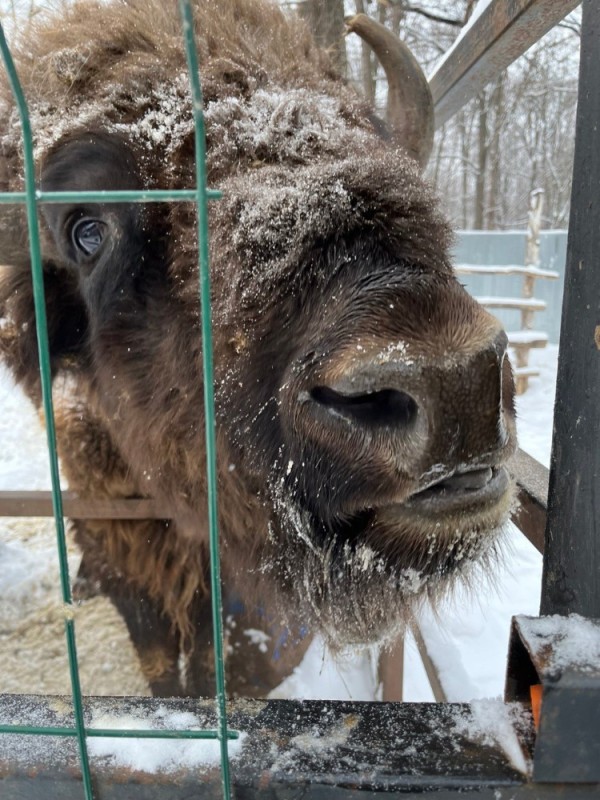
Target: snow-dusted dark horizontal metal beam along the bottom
x,y
291,749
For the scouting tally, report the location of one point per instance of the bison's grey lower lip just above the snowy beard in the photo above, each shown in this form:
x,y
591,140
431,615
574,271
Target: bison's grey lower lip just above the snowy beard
x,y
444,496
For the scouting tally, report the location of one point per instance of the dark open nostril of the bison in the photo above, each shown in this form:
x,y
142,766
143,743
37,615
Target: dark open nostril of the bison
x,y
387,407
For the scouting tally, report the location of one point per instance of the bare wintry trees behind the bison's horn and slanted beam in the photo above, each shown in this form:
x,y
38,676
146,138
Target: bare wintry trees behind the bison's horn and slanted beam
x,y
516,136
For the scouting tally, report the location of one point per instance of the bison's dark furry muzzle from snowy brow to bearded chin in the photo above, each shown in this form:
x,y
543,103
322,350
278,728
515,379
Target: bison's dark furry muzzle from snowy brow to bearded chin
x,y
377,396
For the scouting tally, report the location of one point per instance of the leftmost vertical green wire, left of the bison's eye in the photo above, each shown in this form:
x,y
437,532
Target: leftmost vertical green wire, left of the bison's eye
x,y
46,381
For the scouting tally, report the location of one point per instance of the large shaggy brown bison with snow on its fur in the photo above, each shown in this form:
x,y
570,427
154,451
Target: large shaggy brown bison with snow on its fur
x,y
364,401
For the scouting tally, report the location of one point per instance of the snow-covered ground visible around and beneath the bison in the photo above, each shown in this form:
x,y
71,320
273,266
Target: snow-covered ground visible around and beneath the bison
x,y
467,638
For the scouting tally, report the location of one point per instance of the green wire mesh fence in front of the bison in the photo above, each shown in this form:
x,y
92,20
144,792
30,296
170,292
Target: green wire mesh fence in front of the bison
x,y
31,198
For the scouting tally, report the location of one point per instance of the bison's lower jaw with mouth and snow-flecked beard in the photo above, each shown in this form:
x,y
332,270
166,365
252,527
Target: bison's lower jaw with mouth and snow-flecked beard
x,y
359,575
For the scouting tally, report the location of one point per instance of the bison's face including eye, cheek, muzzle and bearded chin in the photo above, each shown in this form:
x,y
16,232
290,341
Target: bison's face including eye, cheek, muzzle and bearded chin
x,y
364,398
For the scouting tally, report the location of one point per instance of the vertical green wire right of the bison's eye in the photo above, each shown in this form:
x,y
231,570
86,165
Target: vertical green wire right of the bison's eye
x,y
209,403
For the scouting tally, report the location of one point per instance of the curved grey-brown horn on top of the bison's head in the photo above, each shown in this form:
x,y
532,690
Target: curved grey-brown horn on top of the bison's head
x,y
410,105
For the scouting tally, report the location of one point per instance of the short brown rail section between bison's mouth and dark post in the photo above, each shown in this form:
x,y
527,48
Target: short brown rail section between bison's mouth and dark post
x,y
532,484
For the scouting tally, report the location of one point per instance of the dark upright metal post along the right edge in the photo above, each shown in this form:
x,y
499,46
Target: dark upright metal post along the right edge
x,y
571,581
